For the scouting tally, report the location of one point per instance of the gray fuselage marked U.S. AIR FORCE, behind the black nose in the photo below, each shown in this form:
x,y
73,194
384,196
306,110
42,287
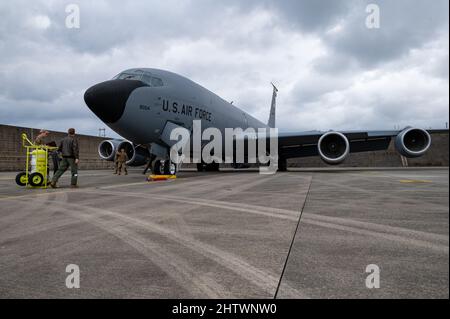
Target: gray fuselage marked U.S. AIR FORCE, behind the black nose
x,y
180,101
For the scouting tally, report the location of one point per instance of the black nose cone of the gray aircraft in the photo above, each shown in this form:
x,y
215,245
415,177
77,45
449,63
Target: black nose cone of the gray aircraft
x,y
108,99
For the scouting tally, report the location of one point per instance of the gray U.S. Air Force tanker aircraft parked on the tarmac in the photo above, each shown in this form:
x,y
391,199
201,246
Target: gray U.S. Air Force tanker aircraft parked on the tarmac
x,y
145,105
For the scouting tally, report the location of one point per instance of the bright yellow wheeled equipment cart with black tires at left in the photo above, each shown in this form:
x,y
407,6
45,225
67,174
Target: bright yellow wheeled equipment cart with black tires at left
x,y
36,169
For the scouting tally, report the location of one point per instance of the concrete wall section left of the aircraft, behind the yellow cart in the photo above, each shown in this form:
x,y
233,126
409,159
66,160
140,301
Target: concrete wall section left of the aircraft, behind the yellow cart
x,y
12,154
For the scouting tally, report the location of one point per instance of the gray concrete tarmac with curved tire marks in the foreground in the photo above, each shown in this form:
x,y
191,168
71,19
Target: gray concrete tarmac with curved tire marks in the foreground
x,y
232,234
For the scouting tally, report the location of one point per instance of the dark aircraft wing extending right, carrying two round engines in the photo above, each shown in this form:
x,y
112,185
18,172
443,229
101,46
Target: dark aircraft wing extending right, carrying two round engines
x,y
304,144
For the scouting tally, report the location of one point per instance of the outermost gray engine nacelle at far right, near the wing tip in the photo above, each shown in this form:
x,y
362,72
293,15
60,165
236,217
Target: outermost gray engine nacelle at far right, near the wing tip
x,y
413,142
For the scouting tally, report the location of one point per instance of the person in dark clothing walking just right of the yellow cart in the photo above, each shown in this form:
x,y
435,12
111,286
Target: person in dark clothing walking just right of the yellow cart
x,y
70,157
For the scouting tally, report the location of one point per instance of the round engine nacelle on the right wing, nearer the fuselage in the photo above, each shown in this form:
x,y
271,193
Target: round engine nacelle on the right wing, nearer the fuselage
x,y
333,147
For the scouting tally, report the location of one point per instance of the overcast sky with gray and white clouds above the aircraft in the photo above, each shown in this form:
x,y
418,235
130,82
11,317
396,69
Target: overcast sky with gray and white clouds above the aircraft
x,y
332,71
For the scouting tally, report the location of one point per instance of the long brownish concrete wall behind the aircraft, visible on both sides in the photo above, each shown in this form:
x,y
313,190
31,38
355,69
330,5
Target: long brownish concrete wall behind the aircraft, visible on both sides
x,y
12,154
